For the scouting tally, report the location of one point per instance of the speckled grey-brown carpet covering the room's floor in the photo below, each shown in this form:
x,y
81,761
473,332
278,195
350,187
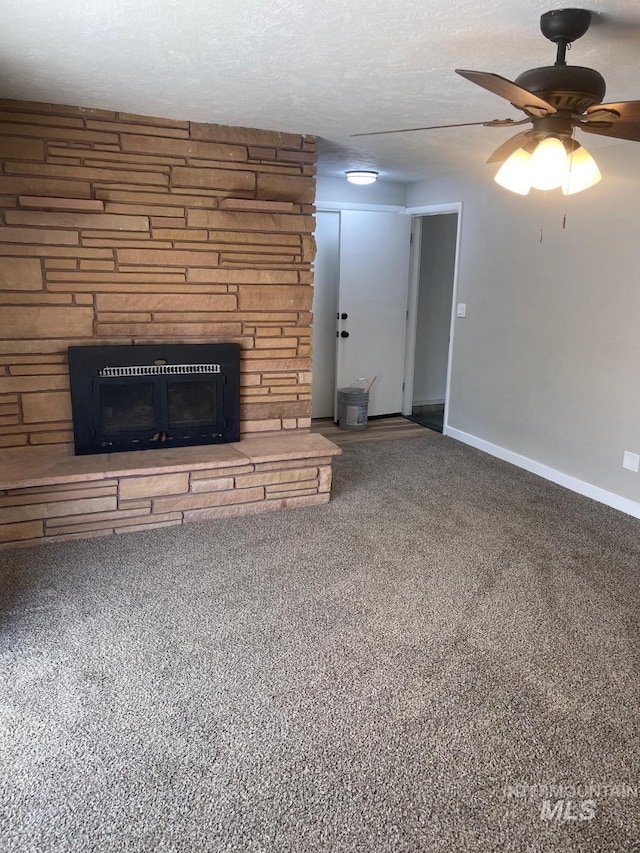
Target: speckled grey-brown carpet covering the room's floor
x,y
431,662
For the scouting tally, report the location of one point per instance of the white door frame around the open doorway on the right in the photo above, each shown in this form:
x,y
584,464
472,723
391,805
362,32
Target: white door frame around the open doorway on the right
x,y
416,214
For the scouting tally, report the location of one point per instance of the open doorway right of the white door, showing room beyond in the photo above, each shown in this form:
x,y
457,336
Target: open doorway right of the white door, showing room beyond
x,y
435,238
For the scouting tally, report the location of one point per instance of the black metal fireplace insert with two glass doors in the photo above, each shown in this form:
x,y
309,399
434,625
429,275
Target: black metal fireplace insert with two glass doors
x,y
143,396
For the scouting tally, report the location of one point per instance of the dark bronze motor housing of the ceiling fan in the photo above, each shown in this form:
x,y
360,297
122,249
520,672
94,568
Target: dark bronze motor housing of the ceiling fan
x,y
566,87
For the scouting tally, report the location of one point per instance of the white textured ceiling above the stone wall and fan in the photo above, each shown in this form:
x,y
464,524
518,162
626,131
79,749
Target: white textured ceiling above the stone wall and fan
x,y
324,67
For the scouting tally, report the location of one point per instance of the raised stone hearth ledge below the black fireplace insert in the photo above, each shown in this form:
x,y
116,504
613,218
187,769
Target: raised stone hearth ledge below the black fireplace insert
x,y
48,494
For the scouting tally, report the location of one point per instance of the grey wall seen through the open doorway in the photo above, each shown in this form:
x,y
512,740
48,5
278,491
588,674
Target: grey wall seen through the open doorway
x,y
435,288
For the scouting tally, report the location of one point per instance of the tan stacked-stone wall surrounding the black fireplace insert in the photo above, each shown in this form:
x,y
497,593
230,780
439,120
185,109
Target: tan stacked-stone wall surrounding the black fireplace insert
x,y
120,229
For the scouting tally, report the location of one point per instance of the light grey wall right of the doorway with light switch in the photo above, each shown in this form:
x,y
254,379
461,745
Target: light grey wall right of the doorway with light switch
x,y
547,362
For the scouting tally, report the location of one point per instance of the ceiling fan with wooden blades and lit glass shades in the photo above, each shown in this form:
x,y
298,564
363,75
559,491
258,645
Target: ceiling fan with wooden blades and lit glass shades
x,y
556,100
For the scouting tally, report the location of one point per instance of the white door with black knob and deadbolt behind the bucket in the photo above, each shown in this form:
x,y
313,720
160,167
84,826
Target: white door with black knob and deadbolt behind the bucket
x,y
374,275
